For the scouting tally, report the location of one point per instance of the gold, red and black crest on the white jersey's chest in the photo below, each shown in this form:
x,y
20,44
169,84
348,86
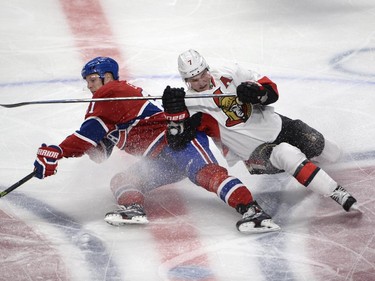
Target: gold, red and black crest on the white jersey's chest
x,y
236,112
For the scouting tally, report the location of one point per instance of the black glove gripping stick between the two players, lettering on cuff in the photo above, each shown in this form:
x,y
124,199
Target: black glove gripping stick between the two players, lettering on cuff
x,y
174,104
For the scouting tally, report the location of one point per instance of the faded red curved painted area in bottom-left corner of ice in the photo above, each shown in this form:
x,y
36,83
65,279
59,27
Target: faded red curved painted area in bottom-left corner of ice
x,y
26,255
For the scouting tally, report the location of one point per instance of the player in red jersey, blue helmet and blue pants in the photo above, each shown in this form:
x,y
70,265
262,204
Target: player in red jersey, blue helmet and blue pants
x,y
138,127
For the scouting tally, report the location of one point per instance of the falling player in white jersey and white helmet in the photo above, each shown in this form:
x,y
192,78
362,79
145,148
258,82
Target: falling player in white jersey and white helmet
x,y
249,129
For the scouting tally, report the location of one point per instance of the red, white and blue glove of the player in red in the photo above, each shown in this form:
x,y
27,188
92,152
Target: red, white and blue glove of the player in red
x,y
46,160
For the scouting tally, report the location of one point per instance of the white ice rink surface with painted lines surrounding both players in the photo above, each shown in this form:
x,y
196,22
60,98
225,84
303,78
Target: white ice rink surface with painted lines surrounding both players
x,y
320,53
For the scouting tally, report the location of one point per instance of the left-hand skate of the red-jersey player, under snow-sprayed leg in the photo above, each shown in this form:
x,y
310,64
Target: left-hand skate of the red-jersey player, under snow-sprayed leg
x,y
132,214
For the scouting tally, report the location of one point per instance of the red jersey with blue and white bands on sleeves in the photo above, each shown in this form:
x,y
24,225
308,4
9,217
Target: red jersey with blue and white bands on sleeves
x,y
137,126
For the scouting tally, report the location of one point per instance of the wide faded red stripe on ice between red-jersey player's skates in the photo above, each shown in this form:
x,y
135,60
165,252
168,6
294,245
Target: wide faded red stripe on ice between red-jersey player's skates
x,y
176,238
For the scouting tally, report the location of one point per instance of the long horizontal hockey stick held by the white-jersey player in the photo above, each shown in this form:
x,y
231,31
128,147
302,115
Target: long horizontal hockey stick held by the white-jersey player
x,y
11,105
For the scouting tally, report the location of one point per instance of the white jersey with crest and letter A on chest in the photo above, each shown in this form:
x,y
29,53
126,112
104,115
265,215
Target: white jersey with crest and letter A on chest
x,y
241,127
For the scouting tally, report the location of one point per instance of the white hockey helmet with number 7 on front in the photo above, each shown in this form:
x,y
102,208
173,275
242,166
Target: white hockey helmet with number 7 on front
x,y
190,64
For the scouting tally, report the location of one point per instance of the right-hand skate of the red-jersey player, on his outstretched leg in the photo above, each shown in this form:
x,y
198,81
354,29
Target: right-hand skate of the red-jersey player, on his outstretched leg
x,y
255,220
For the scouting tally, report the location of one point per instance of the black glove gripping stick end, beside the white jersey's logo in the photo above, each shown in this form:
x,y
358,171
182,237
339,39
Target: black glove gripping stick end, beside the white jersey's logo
x,y
251,92
